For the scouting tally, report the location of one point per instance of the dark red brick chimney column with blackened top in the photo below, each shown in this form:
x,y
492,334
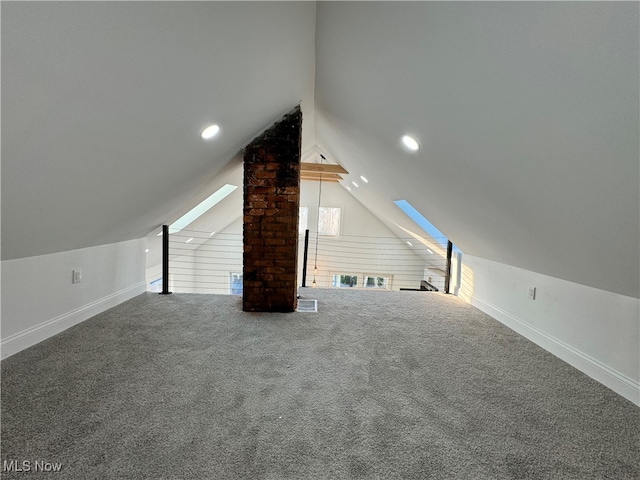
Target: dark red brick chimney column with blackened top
x,y
271,206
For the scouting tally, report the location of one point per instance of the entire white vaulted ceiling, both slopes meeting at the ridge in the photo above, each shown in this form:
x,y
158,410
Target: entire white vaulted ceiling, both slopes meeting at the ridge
x,y
527,113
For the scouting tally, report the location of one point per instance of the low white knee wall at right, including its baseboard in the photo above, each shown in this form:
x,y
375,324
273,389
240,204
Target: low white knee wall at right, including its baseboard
x,y
595,331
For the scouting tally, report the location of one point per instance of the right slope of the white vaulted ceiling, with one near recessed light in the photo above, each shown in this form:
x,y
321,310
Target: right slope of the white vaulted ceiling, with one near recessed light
x,y
527,113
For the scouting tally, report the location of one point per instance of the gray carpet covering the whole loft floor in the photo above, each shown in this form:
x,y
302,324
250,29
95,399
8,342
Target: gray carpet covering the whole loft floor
x,y
380,385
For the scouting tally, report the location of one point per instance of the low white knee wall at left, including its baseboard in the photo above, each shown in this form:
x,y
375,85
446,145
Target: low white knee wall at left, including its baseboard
x,y
39,299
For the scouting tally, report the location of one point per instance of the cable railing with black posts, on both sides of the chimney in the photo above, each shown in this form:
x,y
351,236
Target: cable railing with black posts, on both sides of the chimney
x,y
199,262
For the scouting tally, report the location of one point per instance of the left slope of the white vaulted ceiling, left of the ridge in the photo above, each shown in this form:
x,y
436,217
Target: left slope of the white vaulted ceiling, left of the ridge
x,y
103,102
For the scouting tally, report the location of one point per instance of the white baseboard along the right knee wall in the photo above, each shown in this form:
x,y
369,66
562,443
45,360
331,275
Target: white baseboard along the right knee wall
x,y
619,383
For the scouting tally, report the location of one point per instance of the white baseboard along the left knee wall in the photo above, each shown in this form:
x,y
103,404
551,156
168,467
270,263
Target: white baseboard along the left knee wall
x,y
29,337
